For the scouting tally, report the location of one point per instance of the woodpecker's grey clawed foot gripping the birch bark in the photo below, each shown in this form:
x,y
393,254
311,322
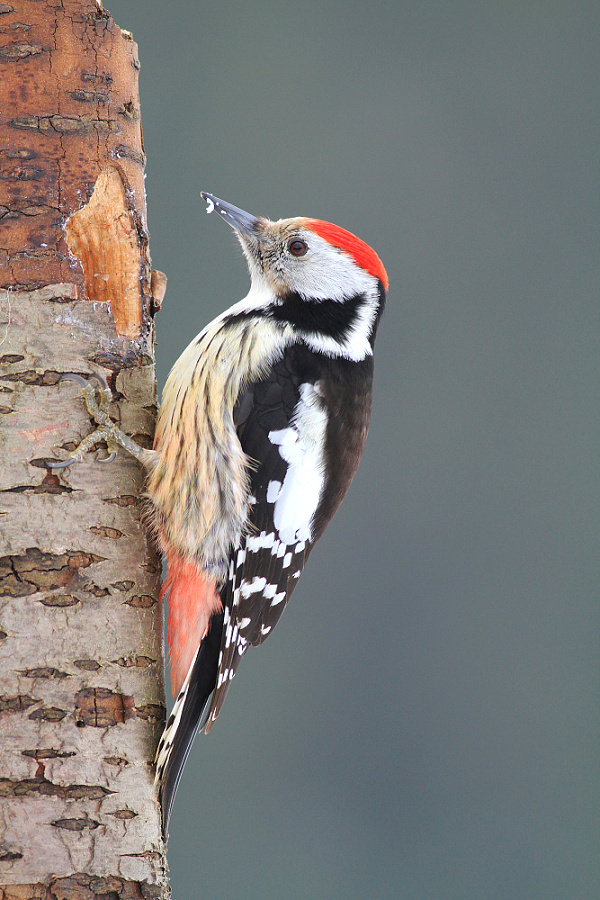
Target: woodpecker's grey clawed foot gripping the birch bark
x,y
106,430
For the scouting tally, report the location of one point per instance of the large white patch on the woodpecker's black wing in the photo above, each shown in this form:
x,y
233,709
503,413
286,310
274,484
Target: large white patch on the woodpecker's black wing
x,y
301,445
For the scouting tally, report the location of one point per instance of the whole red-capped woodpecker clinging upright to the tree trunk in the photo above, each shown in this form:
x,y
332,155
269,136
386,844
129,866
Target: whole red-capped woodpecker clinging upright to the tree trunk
x,y
260,431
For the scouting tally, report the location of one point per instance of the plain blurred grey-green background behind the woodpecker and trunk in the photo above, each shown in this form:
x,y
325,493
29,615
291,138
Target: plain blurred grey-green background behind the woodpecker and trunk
x,y
424,723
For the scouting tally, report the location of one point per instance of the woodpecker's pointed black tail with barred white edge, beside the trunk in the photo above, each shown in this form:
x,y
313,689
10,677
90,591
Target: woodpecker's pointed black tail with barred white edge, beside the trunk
x,y
186,717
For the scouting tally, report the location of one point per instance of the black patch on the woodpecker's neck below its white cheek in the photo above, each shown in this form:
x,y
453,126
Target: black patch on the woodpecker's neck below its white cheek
x,y
331,318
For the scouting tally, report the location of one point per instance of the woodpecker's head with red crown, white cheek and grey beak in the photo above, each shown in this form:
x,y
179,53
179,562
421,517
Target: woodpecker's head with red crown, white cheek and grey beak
x,y
319,278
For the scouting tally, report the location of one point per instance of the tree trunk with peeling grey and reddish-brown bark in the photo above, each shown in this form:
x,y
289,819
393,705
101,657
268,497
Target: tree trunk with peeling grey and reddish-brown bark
x,y
81,663
